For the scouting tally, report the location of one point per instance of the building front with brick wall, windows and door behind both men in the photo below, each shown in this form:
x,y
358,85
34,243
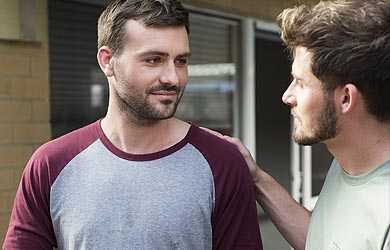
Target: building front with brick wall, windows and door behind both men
x,y
50,84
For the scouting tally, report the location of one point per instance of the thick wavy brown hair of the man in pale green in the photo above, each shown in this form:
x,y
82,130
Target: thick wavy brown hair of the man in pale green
x,y
350,42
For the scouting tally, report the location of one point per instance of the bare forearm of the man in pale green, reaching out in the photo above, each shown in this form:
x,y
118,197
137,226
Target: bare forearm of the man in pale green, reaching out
x,y
290,218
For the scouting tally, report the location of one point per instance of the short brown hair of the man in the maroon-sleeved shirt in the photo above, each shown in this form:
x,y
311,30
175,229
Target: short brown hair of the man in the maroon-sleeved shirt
x,y
158,13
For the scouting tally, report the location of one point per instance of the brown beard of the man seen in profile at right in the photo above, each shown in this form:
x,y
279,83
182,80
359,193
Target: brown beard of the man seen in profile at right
x,y
324,125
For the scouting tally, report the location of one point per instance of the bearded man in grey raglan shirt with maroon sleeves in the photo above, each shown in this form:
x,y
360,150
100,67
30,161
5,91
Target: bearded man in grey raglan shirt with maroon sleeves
x,y
137,178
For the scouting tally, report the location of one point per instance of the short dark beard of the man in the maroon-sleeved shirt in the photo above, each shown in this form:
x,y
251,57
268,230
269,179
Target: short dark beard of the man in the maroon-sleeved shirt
x,y
136,105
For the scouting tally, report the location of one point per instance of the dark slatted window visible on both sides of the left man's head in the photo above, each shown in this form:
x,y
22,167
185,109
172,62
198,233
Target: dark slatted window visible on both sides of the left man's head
x,y
79,90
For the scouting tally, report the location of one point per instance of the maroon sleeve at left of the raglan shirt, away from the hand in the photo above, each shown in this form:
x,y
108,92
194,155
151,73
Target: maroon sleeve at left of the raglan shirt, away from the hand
x,y
30,224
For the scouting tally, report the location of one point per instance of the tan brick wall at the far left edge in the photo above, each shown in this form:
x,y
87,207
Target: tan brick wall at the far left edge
x,y
24,100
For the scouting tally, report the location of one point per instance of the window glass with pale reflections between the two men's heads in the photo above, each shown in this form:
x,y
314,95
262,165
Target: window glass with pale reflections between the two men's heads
x,y
209,97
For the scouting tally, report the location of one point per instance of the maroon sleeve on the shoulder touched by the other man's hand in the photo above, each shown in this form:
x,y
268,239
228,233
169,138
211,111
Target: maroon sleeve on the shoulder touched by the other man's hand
x,y
235,220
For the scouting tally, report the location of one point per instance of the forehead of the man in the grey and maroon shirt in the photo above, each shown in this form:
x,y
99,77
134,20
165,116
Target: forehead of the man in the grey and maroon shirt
x,y
167,39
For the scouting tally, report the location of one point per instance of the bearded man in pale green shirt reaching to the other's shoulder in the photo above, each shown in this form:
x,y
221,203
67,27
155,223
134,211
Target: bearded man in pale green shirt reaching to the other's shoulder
x,y
339,96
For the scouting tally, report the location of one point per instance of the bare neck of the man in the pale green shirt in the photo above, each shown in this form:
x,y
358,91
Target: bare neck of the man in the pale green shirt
x,y
362,147
